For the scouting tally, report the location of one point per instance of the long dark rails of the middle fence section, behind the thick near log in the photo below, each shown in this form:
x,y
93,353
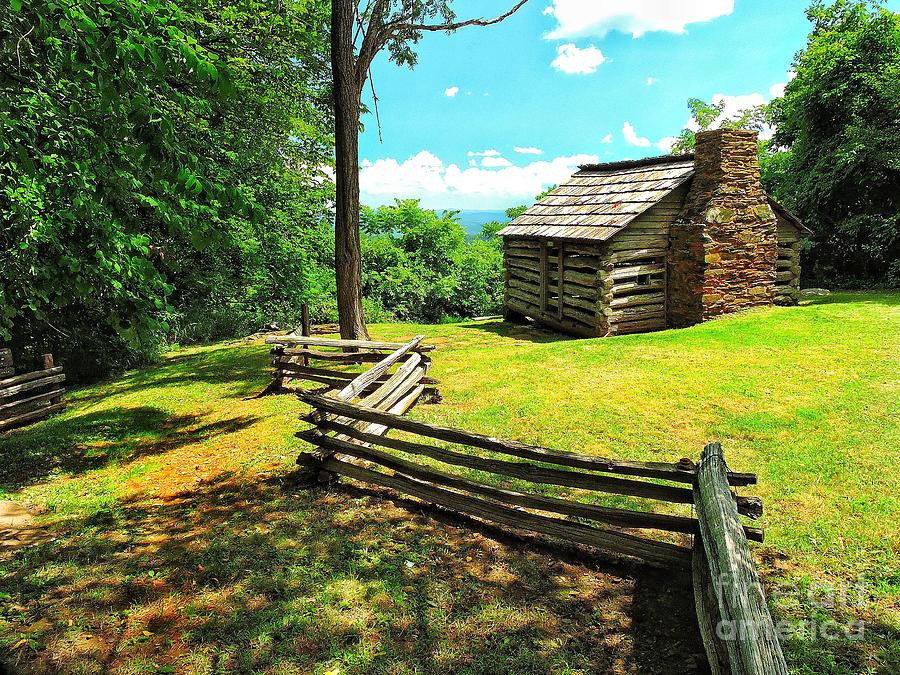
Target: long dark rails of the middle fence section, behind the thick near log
x,y
340,431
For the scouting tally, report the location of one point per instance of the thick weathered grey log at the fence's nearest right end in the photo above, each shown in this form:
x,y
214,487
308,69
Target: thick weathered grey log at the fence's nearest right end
x,y
744,624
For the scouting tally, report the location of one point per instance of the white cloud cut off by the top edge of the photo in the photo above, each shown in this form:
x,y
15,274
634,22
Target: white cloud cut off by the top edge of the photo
x,y
593,18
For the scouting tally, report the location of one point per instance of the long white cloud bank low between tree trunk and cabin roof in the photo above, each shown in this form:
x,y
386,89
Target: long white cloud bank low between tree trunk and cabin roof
x,y
439,185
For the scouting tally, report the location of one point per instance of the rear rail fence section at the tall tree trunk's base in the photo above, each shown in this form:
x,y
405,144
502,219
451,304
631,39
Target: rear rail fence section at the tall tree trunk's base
x,y
292,356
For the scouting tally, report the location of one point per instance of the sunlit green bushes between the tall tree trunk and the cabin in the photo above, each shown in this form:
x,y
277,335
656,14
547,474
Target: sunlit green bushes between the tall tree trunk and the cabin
x,y
417,265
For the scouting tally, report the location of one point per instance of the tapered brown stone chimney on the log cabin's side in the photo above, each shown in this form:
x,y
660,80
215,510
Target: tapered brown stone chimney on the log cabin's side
x,y
723,248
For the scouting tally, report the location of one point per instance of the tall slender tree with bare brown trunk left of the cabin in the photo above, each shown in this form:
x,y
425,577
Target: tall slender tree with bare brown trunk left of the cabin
x,y
356,38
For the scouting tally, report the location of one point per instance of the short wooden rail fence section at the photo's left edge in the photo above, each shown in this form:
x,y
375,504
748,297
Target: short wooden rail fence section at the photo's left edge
x,y
27,398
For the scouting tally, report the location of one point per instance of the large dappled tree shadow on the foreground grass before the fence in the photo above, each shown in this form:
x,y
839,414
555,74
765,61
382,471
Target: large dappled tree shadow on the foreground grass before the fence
x,y
243,577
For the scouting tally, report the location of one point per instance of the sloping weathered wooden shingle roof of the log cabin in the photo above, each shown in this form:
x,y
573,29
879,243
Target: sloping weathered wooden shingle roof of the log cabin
x,y
601,199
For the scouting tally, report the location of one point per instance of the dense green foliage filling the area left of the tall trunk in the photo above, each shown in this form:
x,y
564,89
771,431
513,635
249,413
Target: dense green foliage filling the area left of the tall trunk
x,y
160,166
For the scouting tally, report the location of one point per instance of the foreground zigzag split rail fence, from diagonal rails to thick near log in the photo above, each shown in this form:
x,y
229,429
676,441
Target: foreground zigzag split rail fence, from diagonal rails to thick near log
x,y
352,439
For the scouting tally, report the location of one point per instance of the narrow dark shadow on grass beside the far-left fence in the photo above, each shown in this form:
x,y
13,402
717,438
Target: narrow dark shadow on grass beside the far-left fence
x,y
80,443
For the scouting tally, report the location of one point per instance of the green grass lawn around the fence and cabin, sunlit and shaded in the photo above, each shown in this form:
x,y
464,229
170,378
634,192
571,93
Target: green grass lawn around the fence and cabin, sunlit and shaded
x,y
172,535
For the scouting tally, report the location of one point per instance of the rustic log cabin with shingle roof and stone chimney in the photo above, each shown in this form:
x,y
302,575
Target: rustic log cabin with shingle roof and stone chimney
x,y
636,246
